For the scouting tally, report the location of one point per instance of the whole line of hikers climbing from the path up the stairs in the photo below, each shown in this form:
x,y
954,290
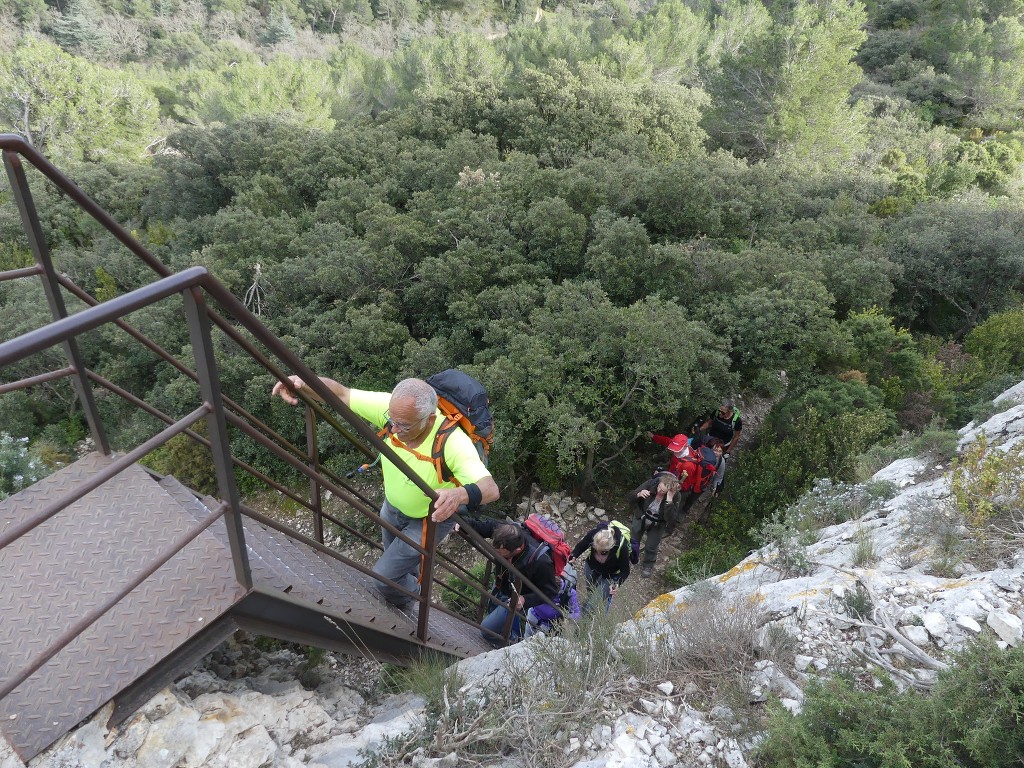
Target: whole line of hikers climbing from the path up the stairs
x,y
543,588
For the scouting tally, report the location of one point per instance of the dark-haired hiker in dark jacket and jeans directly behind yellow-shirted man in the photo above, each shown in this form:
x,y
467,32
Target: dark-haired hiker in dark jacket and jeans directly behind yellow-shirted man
x,y
529,557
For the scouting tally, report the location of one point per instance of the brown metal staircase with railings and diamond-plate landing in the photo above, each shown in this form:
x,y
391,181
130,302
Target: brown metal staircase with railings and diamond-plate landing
x,y
117,581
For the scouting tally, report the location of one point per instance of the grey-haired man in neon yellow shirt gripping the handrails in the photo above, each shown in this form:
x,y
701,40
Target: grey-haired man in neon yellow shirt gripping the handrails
x,y
412,412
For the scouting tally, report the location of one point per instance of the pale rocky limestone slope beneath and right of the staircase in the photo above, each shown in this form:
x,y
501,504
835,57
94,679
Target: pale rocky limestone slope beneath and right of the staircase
x,y
886,588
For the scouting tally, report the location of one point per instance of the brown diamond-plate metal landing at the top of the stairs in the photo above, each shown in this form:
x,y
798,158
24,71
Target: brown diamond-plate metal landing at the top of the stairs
x,y
61,571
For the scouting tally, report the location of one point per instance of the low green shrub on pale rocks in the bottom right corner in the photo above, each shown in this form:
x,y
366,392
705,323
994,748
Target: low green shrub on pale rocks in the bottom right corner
x,y
972,718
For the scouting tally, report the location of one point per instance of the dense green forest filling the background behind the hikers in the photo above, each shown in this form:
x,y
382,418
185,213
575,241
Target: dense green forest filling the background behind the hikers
x,y
613,214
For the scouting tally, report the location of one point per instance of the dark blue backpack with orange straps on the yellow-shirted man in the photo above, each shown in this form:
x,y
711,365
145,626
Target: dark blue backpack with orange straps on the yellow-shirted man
x,y
463,401
